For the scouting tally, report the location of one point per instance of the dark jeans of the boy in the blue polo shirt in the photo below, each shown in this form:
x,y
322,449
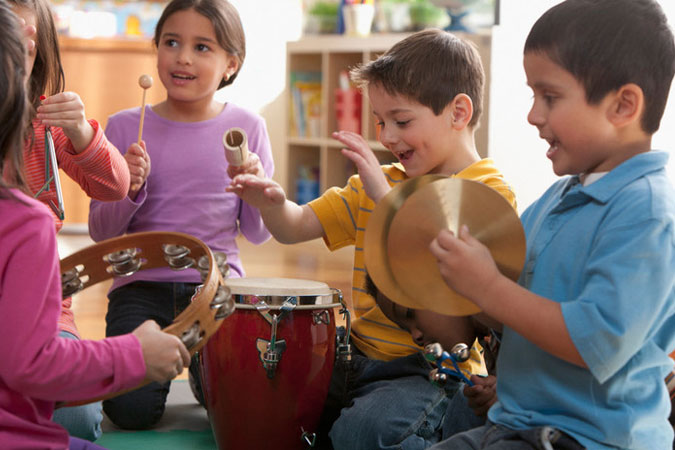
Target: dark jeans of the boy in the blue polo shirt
x,y
497,437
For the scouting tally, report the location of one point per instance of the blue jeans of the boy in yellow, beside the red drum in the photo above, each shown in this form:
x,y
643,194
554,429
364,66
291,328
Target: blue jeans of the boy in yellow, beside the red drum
x,y
386,404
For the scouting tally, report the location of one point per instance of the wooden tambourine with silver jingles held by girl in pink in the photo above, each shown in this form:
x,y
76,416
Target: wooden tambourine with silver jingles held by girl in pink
x,y
125,255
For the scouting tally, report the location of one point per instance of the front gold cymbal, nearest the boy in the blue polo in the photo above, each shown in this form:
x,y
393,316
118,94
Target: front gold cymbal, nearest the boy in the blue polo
x,y
448,203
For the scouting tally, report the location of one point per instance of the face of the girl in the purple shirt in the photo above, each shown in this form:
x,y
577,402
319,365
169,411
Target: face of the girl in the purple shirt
x,y
190,62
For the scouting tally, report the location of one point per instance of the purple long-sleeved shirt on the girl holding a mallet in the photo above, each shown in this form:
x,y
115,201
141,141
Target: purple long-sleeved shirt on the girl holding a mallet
x,y
185,191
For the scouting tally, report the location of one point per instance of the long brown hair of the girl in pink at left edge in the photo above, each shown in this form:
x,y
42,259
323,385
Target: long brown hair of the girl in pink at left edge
x,y
13,102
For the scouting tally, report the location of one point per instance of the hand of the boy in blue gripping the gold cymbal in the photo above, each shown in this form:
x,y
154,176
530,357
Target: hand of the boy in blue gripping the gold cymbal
x,y
465,263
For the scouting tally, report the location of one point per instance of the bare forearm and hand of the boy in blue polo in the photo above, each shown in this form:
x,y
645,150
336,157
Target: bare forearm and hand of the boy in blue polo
x,y
468,268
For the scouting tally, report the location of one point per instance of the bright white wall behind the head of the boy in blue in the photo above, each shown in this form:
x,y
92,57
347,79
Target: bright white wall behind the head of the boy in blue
x,y
514,144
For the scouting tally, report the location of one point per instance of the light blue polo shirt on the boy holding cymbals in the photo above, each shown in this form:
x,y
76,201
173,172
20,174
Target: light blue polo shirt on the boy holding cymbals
x,y
606,252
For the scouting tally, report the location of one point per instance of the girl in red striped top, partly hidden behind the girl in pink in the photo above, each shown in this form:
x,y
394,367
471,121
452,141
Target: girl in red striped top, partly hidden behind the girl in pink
x,y
82,152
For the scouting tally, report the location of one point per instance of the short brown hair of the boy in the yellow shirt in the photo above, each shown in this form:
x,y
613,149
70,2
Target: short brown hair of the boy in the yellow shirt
x,y
430,67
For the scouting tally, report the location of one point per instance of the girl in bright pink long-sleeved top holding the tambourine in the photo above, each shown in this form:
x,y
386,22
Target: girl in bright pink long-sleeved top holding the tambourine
x,y
38,368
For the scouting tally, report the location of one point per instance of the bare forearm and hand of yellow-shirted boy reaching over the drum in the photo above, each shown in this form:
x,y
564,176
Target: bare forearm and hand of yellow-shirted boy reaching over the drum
x,y
286,220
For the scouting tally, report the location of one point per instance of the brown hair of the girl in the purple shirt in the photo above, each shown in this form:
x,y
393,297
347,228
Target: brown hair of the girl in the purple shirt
x,y
226,23
